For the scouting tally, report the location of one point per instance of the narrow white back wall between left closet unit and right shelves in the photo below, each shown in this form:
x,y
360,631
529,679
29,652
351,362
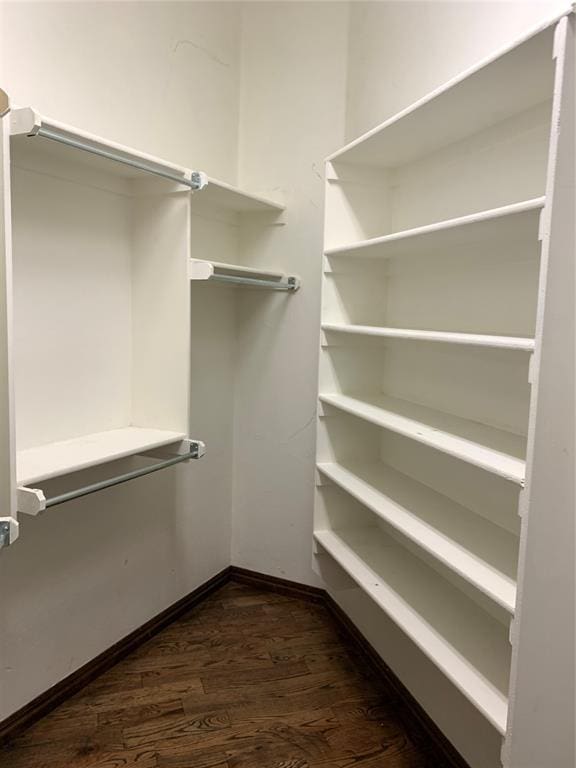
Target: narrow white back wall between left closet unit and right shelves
x,y
292,116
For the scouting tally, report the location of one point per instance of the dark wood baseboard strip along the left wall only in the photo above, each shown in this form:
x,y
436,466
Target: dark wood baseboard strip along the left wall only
x,y
39,707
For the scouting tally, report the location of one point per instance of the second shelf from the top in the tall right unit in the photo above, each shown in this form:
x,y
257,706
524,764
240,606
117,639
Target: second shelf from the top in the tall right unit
x,y
508,223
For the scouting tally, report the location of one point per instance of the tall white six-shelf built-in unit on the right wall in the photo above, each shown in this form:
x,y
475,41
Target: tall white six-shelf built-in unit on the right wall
x,y
436,305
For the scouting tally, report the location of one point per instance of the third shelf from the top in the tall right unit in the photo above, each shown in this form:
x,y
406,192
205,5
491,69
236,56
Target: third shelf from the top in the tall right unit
x,y
466,339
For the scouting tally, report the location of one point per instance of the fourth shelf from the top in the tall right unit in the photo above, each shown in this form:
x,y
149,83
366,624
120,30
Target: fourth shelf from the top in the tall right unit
x,y
491,449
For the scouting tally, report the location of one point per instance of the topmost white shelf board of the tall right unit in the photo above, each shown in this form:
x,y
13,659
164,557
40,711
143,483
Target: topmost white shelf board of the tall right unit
x,y
513,81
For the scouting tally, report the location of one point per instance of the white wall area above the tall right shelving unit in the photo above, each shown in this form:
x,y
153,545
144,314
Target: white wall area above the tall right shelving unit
x,y
400,51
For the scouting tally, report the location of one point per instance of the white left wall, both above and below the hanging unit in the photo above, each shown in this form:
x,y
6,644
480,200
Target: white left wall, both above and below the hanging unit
x,y
163,77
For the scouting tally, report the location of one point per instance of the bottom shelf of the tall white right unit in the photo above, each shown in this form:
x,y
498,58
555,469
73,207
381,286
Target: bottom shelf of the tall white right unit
x,y
469,646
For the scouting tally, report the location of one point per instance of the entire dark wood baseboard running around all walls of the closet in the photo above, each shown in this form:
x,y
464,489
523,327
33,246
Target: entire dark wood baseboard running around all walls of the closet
x,y
421,728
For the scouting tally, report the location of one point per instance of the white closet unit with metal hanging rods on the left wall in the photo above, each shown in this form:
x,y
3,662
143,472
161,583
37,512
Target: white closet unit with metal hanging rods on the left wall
x,y
103,240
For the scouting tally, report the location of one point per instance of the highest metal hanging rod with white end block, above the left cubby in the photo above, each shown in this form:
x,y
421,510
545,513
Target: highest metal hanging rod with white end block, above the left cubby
x,y
26,121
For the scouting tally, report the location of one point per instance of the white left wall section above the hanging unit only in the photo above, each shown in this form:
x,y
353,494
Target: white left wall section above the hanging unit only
x,y
162,77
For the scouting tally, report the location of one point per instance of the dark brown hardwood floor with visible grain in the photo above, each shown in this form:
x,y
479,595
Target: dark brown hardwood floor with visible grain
x,y
248,679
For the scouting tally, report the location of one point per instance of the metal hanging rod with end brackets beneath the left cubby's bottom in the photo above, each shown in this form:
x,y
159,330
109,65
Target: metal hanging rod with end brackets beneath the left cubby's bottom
x,y
31,501
